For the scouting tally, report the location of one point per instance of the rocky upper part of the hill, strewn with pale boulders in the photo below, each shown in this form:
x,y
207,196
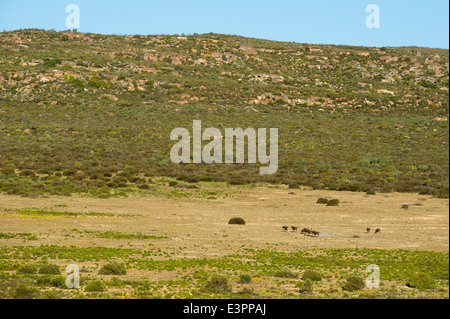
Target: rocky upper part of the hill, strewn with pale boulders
x,y
230,71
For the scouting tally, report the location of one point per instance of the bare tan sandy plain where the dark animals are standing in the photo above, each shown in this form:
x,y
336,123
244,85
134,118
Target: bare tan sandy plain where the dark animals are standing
x,y
200,226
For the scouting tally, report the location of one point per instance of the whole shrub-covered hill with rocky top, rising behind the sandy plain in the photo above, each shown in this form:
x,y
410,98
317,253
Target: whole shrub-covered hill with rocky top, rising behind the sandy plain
x,y
82,112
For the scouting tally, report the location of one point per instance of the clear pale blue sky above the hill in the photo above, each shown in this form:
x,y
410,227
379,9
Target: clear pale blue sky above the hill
x,y
402,22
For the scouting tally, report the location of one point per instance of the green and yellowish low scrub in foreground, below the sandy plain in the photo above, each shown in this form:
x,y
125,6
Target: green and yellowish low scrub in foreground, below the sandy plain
x,y
31,272
